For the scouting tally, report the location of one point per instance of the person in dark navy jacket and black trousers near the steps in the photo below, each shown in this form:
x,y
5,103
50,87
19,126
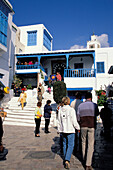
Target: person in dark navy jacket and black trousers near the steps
x,y
47,115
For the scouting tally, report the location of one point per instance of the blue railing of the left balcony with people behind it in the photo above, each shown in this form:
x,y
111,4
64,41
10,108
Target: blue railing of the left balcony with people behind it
x,y
33,66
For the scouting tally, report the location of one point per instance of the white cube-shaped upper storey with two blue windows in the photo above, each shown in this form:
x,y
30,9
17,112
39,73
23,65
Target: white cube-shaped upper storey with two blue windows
x,y
36,38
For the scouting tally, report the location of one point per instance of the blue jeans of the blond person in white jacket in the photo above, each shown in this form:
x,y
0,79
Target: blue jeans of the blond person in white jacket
x,y
68,145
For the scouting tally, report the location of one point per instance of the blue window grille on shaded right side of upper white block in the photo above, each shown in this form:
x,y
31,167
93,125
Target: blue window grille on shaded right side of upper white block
x,y
47,40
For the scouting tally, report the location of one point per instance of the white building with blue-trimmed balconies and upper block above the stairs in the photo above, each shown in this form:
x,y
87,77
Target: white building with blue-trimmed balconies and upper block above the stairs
x,y
82,70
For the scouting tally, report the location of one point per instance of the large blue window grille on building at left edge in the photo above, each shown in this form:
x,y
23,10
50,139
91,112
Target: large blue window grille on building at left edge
x,y
3,28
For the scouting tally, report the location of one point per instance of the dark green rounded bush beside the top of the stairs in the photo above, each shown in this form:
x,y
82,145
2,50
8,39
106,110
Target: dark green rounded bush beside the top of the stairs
x,y
59,91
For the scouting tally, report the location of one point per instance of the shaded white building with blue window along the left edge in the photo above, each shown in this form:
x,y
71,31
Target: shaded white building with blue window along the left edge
x,y
7,42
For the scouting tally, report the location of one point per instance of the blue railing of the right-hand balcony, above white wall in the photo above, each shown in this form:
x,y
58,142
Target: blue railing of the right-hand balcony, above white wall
x,y
79,72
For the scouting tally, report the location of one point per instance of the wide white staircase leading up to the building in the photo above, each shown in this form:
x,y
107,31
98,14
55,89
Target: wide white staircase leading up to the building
x,y
25,117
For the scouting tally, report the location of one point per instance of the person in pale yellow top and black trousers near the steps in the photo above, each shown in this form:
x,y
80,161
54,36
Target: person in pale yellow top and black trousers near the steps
x,y
38,115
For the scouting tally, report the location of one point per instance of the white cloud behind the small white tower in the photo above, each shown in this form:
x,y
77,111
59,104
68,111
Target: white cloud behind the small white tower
x,y
103,39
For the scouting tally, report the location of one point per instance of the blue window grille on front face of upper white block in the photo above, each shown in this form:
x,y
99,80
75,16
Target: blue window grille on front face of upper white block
x,y
32,38
